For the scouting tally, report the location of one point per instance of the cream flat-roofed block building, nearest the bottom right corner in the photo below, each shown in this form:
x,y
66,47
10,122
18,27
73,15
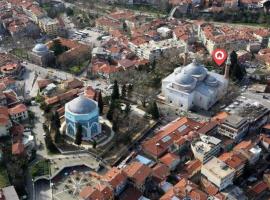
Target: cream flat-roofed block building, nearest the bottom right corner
x,y
218,172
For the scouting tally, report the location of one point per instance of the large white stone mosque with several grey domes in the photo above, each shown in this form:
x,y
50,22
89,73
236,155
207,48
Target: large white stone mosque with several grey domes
x,y
194,86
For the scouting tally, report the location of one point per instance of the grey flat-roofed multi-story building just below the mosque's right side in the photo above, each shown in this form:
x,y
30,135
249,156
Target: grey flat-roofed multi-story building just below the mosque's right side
x,y
234,127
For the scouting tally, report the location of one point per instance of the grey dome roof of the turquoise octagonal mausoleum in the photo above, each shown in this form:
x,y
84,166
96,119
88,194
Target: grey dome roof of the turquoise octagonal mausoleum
x,y
82,105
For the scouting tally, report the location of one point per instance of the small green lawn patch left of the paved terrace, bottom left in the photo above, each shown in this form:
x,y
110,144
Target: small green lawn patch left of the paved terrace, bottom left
x,y
41,168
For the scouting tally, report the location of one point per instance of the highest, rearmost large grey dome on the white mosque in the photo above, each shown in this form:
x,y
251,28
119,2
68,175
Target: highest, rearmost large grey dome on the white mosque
x,y
196,70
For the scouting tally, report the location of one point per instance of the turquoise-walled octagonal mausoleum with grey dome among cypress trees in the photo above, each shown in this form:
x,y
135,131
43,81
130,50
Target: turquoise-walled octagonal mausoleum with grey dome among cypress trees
x,y
84,111
